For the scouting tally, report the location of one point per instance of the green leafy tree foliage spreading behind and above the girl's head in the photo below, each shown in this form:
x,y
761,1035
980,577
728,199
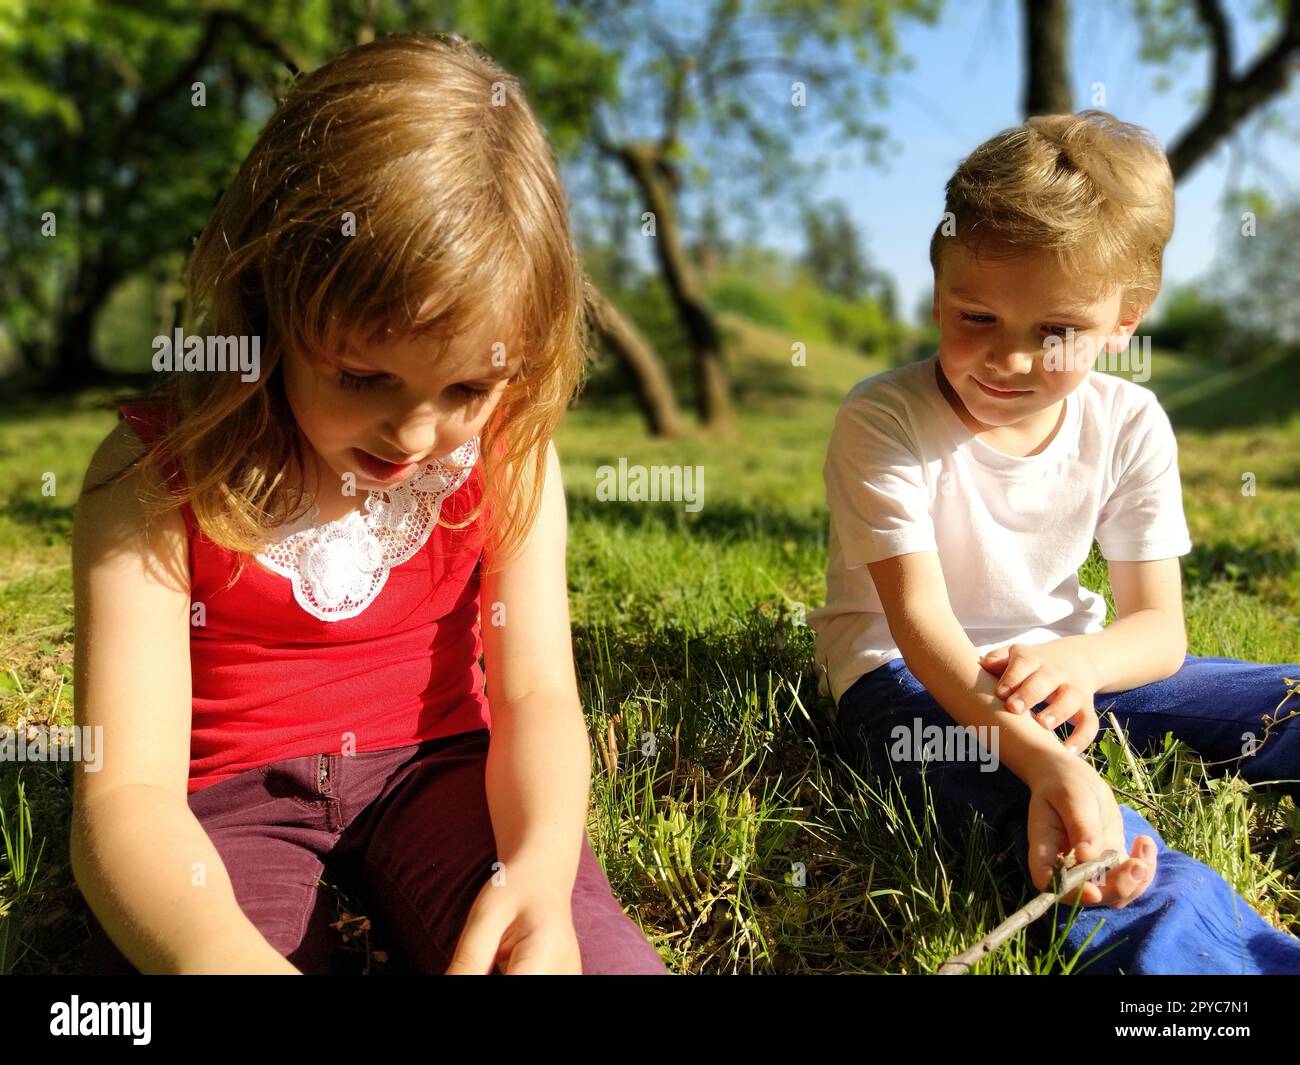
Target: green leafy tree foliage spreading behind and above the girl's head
x,y
122,127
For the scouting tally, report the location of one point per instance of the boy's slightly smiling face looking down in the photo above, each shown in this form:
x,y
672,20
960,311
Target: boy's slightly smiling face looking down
x,y
996,318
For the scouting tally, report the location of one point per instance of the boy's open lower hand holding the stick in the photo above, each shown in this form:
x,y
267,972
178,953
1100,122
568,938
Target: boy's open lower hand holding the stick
x,y
1072,808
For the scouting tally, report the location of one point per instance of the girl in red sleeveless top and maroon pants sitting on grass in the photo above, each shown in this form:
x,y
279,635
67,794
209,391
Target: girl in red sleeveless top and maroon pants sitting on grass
x,y
300,561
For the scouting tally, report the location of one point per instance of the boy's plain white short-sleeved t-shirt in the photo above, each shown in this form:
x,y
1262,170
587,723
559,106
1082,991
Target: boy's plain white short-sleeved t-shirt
x,y
903,474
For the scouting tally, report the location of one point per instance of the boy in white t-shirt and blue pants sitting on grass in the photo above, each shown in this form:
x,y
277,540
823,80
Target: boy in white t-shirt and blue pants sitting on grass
x,y
967,491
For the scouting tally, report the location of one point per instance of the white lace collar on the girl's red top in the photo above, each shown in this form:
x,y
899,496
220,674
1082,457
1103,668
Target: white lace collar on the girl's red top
x,y
340,568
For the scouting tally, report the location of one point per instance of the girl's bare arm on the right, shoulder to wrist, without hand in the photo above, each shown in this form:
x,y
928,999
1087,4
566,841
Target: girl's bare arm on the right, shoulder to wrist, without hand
x,y
539,760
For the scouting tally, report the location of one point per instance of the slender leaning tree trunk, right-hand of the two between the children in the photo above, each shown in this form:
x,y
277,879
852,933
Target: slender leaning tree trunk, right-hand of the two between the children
x,y
713,396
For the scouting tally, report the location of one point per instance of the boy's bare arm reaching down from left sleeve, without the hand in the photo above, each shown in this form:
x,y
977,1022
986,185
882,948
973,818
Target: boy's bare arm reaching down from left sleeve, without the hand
x,y
942,657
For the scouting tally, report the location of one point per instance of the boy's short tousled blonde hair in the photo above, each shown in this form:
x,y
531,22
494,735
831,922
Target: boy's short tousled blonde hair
x,y
1089,188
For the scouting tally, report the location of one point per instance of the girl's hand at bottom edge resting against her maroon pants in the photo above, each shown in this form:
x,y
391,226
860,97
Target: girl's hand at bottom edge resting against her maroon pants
x,y
519,928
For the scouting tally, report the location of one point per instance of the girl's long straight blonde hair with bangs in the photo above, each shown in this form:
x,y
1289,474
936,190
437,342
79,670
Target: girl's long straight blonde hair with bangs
x,y
458,215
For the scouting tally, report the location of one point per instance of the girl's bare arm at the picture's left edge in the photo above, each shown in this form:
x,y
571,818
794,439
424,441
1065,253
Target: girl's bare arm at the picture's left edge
x,y
140,856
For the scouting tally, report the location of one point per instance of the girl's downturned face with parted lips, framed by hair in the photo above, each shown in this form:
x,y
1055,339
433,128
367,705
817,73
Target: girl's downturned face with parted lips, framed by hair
x,y
382,413
